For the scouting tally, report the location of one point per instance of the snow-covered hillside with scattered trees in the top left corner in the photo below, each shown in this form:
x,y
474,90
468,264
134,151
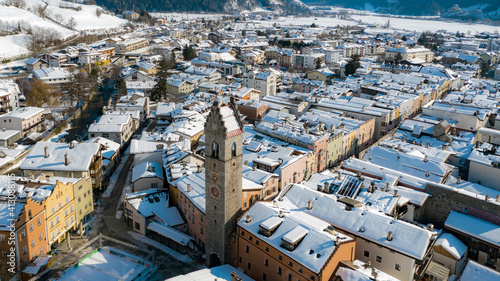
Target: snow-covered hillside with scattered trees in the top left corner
x,y
56,19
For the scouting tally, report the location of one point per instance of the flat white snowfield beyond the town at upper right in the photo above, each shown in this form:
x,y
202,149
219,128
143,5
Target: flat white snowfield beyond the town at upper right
x,y
421,25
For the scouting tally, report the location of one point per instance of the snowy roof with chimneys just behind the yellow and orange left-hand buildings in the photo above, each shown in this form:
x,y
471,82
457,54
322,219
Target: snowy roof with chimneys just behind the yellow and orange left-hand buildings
x,y
80,157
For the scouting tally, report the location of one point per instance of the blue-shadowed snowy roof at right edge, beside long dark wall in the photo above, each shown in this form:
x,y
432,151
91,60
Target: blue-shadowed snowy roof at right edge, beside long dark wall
x,y
477,228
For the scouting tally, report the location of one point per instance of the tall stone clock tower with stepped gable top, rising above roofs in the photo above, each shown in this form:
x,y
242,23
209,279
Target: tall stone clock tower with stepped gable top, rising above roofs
x,y
223,180
